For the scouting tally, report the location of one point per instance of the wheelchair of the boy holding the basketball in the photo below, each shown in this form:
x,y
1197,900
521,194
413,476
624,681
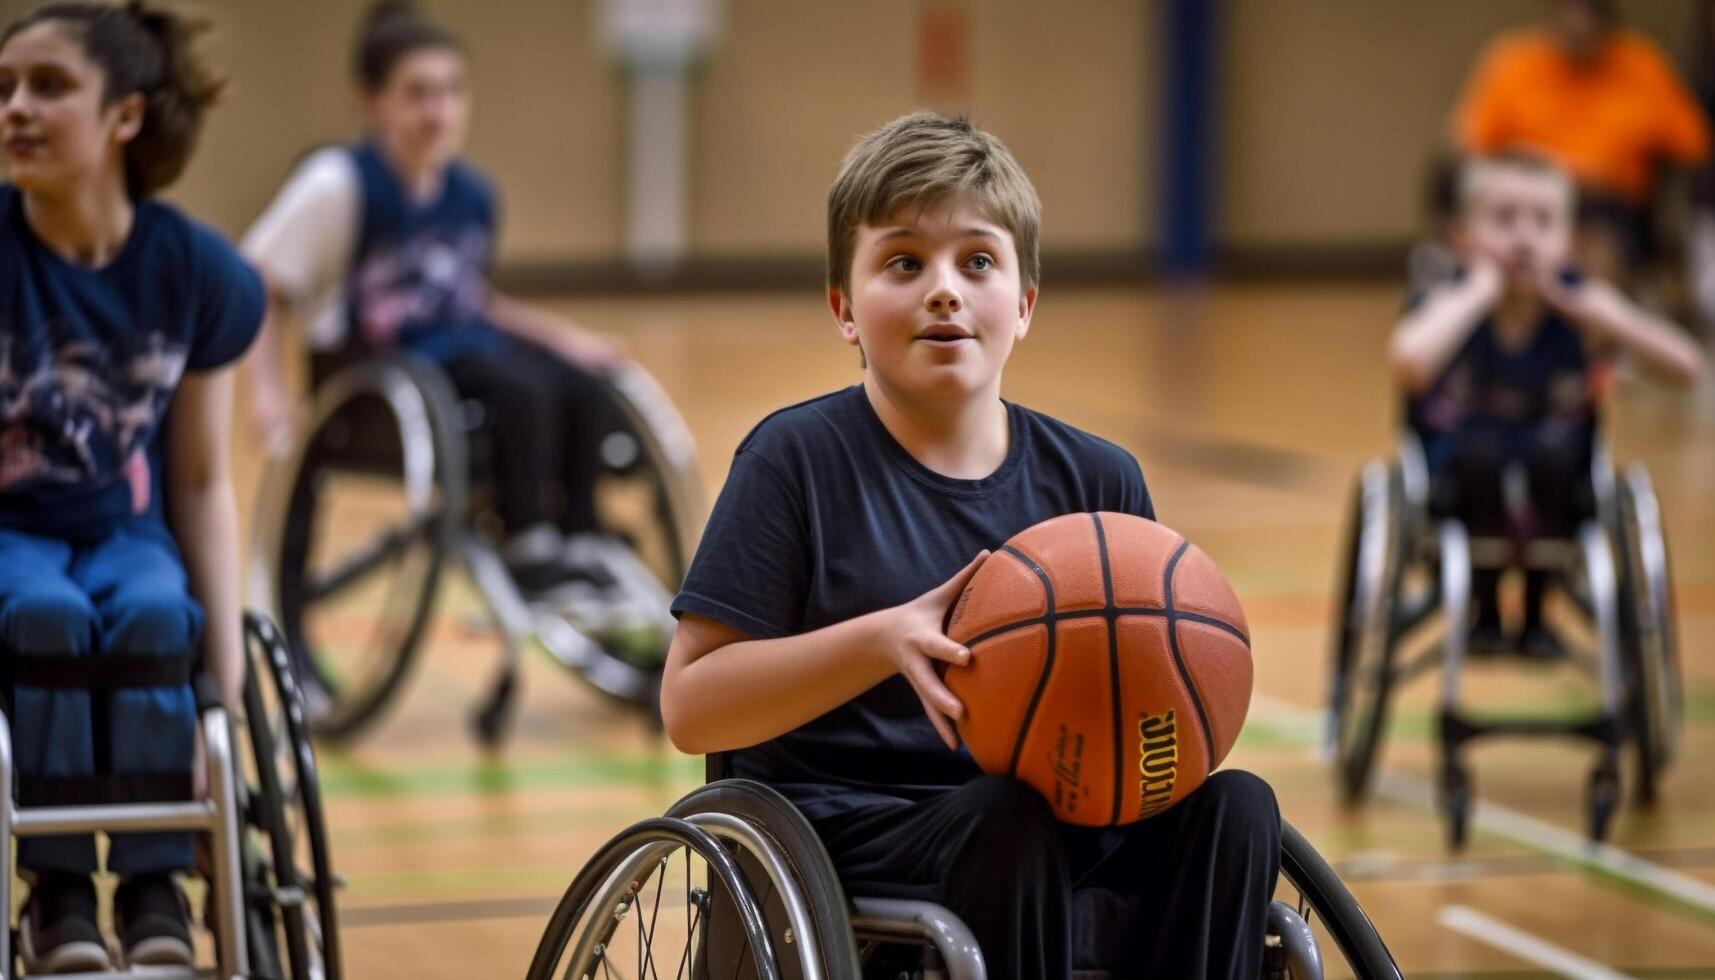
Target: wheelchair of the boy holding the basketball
x,y
733,883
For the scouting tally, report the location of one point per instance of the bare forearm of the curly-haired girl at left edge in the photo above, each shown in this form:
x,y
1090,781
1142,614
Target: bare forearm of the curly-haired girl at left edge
x,y
207,519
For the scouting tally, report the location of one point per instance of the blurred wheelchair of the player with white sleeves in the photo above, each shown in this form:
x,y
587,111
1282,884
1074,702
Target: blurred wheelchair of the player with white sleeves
x,y
388,485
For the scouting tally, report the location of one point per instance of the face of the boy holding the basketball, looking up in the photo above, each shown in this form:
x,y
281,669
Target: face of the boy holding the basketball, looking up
x,y
936,301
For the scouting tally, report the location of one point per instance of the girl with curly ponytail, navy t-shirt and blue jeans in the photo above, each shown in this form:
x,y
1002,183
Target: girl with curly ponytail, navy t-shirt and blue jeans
x,y
119,320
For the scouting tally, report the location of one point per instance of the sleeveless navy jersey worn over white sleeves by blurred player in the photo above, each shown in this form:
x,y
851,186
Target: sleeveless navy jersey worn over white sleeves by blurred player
x,y
421,269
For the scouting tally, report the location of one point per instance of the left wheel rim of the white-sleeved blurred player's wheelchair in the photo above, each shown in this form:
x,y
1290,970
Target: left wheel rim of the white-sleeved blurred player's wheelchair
x,y
433,461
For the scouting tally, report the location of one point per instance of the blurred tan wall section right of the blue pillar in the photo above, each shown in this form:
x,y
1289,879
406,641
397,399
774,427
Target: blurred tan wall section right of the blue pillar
x,y
1333,109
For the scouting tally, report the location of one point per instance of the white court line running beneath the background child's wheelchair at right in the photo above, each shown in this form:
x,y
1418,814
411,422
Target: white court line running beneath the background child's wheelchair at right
x,y
1520,828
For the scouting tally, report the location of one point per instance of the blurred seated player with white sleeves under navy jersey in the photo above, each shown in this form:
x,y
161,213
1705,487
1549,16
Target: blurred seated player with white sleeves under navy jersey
x,y
387,245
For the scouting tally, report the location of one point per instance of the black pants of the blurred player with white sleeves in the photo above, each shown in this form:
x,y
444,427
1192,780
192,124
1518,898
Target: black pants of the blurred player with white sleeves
x,y
546,421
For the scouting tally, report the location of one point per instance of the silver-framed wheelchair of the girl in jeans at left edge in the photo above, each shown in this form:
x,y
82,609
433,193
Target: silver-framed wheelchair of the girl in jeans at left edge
x,y
270,900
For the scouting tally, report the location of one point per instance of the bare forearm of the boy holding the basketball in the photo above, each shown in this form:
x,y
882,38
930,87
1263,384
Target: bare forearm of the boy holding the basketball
x,y
754,691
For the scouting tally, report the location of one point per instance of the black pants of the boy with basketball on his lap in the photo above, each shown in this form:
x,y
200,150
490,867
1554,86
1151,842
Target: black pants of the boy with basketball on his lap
x,y
1179,895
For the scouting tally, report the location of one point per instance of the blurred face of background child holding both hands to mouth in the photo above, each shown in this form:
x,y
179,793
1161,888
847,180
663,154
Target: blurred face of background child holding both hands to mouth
x,y
1522,221
